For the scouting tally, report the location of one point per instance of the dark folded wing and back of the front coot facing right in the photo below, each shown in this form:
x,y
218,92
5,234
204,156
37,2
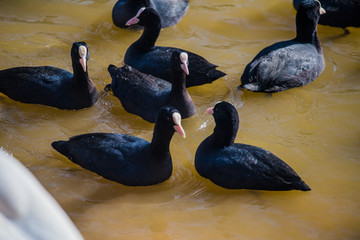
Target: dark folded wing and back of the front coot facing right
x,y
113,156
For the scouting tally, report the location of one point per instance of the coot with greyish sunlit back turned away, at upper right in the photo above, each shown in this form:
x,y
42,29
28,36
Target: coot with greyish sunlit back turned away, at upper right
x,y
292,63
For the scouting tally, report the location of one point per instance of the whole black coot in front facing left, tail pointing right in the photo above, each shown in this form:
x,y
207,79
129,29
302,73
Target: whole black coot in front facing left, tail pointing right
x,y
240,166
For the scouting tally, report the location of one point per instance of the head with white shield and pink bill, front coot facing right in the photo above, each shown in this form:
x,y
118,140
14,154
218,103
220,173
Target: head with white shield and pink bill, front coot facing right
x,y
169,119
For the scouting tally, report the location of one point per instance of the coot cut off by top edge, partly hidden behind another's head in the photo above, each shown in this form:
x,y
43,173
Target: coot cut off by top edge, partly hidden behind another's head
x,y
170,11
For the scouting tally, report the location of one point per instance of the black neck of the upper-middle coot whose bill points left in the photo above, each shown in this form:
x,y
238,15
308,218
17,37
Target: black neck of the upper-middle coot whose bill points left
x,y
150,34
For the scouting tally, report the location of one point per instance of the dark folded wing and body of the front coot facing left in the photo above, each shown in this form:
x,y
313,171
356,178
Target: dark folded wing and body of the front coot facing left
x,y
249,167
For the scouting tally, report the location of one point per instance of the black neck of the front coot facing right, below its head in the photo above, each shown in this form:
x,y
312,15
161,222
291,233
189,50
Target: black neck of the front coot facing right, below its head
x,y
161,140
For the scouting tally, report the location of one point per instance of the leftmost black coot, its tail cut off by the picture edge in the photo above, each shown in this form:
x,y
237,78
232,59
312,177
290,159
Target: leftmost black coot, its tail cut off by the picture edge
x,y
52,86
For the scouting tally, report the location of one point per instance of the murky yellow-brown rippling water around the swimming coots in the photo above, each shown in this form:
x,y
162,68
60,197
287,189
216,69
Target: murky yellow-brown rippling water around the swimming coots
x,y
315,129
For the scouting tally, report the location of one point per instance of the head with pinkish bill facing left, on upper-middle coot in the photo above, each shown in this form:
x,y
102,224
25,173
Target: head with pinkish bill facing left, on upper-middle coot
x,y
144,17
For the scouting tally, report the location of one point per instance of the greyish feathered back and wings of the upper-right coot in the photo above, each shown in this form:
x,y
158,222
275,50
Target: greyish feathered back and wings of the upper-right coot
x,y
282,66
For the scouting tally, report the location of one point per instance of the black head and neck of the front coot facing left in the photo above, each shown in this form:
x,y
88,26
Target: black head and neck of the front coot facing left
x,y
227,123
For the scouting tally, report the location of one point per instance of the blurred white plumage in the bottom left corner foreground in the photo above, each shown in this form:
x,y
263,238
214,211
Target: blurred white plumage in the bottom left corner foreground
x,y
27,210
